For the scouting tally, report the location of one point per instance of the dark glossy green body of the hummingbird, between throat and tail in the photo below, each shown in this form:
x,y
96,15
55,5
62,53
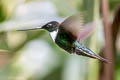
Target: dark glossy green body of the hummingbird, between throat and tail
x,y
65,40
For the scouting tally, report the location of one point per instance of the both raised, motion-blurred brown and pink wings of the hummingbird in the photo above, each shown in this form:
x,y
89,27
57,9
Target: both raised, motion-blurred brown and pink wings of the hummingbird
x,y
76,26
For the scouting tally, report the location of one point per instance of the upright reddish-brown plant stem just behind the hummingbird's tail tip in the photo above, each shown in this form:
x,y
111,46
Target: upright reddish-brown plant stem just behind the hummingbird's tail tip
x,y
107,72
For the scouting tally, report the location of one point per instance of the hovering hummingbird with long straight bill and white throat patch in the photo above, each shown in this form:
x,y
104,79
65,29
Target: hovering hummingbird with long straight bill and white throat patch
x,y
68,35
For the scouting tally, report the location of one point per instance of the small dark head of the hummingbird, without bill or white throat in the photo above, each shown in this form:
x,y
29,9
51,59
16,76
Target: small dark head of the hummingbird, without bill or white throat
x,y
51,26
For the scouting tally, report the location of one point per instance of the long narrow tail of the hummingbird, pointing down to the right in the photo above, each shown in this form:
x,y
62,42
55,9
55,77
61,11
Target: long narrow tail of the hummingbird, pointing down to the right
x,y
82,50
